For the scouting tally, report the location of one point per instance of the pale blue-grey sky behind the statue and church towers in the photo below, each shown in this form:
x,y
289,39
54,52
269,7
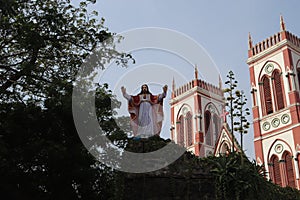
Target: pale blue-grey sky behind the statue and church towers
x,y
220,28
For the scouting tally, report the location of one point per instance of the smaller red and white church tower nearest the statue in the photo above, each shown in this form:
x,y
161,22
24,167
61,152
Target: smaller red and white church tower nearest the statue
x,y
196,109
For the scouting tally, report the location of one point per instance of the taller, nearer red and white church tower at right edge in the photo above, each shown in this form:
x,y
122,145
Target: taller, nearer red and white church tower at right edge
x,y
274,65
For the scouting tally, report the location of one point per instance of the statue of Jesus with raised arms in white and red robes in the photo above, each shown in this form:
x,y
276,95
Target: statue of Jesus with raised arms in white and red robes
x,y
146,111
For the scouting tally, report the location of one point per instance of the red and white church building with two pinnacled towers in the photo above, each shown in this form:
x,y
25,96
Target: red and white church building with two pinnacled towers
x,y
199,124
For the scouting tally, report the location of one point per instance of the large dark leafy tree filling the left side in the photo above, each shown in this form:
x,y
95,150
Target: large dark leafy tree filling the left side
x,y
42,46
